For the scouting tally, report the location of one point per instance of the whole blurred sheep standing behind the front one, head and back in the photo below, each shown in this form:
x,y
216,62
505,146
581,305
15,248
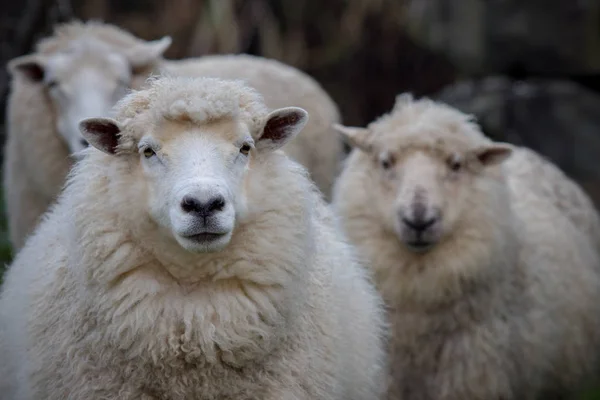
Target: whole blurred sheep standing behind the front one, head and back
x,y
83,69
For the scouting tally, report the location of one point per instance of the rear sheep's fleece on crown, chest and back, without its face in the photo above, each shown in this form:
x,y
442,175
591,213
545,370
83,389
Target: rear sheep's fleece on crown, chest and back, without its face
x,y
37,158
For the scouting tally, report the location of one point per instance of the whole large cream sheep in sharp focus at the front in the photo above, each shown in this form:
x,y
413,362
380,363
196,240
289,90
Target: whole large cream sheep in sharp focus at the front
x,y
189,257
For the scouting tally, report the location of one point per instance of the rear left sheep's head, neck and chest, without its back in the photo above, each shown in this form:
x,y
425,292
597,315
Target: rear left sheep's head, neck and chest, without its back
x,y
78,72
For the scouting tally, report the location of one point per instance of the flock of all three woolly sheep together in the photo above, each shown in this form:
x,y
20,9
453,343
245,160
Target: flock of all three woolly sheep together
x,y
192,229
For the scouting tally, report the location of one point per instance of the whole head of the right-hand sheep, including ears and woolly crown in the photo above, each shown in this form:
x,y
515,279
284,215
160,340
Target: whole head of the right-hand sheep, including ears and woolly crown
x,y
430,167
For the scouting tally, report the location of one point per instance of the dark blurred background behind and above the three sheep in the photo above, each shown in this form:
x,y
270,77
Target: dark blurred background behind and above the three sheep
x,y
528,69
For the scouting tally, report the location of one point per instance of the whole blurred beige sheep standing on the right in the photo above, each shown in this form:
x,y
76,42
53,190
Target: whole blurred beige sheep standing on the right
x,y
493,292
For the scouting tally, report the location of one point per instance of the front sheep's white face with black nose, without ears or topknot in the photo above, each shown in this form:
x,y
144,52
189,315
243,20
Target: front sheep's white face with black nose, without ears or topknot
x,y
196,180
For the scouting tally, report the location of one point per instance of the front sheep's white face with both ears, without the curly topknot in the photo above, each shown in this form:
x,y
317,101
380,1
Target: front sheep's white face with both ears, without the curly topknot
x,y
195,174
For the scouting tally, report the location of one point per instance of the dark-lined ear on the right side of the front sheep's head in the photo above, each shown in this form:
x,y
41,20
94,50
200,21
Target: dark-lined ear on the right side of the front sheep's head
x,y
280,127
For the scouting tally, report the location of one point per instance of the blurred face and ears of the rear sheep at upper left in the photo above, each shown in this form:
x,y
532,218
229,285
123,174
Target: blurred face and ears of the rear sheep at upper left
x,y
85,80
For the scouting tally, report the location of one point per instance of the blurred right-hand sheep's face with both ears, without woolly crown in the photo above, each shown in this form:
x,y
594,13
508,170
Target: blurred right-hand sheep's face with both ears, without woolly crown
x,y
425,180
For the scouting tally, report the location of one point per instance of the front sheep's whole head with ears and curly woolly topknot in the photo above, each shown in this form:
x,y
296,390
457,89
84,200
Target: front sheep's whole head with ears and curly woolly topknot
x,y
191,143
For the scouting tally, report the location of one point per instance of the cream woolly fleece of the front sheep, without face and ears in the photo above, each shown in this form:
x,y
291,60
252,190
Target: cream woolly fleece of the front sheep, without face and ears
x,y
88,309
